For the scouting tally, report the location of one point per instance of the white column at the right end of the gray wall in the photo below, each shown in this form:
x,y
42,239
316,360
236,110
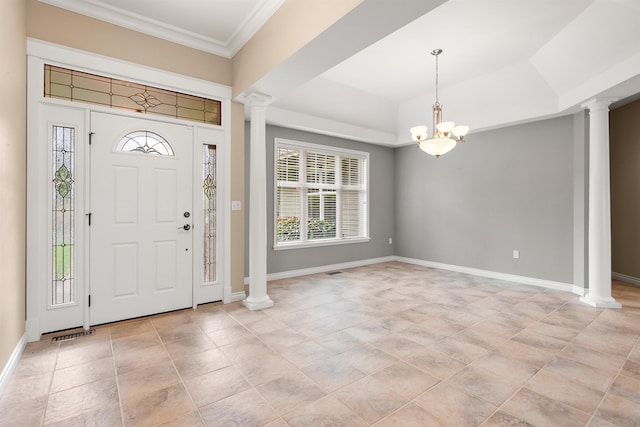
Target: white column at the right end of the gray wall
x,y
599,294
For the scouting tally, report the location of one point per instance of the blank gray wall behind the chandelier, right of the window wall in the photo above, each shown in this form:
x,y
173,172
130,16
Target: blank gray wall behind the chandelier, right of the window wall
x,y
504,189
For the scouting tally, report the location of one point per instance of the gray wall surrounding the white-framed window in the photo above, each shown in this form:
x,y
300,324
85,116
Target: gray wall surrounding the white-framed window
x,y
381,209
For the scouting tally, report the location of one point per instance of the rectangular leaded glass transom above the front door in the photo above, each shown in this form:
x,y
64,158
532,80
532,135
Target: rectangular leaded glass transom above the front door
x,y
72,85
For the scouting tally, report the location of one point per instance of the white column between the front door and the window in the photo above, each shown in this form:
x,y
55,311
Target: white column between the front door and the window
x,y
258,297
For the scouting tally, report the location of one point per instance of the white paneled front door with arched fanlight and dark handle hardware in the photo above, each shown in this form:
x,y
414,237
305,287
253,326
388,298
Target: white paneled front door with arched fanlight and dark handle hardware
x,y
141,217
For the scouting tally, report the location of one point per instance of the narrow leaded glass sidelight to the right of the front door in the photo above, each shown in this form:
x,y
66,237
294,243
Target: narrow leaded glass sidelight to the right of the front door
x,y
209,213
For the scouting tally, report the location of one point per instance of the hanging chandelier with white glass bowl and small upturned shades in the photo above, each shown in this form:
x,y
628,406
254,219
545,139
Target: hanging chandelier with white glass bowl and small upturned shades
x,y
440,142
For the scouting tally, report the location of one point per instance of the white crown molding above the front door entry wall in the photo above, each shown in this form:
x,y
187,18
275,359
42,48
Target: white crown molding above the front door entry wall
x,y
133,21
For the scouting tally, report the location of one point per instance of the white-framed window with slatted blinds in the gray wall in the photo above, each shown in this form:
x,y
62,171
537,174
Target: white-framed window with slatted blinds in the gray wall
x,y
320,195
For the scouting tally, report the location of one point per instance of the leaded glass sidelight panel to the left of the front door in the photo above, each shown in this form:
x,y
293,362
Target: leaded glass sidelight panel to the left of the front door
x,y
63,215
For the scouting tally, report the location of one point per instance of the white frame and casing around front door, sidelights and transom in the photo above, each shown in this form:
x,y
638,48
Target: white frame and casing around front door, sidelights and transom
x,y
39,53
